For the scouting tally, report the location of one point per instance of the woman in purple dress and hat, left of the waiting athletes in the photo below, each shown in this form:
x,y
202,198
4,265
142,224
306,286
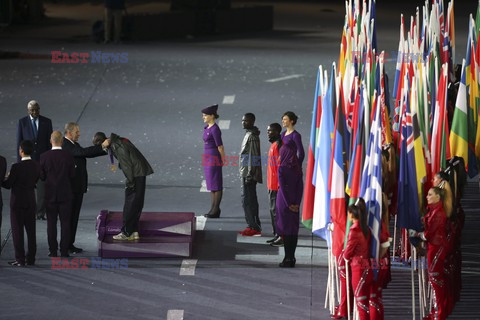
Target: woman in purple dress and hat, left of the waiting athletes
x,y
212,159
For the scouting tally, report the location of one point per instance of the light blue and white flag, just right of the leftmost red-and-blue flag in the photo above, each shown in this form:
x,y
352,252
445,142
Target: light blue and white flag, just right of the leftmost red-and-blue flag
x,y
321,208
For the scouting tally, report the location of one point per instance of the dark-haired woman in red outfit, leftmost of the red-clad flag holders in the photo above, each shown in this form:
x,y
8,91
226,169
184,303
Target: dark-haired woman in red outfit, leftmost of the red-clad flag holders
x,y
357,253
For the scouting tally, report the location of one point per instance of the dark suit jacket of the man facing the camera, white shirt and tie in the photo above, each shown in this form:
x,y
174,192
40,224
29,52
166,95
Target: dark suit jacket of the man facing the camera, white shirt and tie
x,y
25,132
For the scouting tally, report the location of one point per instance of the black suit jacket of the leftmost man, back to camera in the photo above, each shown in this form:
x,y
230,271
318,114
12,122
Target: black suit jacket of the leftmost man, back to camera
x,y
22,180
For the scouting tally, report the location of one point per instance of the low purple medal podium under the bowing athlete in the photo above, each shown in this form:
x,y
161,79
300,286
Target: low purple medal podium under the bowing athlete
x,y
162,234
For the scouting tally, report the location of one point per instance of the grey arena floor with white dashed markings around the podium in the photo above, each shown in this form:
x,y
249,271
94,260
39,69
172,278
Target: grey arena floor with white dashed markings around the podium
x,y
155,100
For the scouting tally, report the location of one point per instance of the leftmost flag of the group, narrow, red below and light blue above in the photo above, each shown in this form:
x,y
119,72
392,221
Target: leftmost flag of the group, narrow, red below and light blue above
x,y
309,191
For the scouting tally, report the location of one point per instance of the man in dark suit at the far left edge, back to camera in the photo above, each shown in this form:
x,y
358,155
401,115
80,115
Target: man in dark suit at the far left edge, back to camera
x,y
22,180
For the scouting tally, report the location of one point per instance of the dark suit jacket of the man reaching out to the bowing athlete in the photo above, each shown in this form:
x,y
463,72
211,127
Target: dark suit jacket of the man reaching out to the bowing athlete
x,y
80,155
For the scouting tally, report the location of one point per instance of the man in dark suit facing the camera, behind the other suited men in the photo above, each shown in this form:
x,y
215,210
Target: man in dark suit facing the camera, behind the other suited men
x,y
37,129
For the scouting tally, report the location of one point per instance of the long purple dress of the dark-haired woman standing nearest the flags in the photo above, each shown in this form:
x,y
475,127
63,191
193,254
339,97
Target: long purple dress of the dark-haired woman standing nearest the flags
x,y
290,190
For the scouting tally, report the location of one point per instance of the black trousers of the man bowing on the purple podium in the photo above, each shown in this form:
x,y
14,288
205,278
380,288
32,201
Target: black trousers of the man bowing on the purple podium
x,y
132,208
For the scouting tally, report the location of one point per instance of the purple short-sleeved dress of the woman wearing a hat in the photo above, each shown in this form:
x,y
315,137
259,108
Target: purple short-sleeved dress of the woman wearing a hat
x,y
211,160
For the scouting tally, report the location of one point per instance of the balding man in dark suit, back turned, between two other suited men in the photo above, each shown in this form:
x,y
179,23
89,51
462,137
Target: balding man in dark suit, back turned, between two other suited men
x,y
57,170
